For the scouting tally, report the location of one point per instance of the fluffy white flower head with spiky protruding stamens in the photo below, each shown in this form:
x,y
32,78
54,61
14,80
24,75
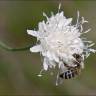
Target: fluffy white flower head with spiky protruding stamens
x,y
59,40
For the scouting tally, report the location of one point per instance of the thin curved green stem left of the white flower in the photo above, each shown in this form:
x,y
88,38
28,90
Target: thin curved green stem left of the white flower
x,y
5,47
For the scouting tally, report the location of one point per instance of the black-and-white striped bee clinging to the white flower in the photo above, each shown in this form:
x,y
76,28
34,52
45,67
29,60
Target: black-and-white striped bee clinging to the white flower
x,y
72,72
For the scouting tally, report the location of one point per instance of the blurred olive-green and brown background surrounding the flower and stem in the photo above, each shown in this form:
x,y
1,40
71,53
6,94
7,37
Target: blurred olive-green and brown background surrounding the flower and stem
x,y
18,70
